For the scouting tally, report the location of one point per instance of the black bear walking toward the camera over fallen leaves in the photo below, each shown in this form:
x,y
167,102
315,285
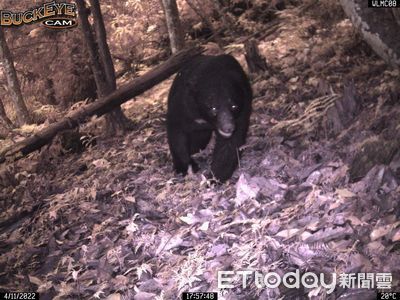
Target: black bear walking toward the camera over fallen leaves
x,y
210,93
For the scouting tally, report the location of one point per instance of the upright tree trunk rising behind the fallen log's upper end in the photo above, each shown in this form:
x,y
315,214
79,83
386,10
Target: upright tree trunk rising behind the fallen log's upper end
x,y
173,24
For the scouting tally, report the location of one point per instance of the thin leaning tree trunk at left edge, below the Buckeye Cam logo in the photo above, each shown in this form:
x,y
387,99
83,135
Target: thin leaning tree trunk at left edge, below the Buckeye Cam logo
x,y
13,83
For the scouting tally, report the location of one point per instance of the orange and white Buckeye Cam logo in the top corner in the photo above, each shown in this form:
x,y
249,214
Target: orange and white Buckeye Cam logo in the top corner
x,y
52,15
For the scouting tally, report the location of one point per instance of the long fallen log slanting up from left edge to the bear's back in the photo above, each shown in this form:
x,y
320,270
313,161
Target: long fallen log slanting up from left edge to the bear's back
x,y
101,106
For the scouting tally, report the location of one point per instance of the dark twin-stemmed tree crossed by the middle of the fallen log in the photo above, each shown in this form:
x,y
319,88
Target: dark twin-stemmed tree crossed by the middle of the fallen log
x,y
101,62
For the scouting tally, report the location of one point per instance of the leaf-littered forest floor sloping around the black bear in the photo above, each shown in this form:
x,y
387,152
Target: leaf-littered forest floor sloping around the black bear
x,y
317,189
